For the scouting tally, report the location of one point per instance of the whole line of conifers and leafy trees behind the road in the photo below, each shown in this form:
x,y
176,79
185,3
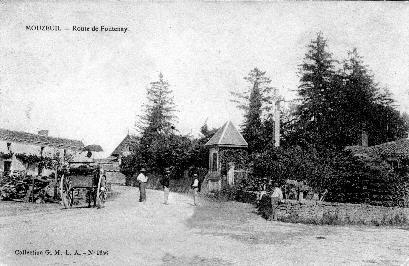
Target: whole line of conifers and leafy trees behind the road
x,y
338,101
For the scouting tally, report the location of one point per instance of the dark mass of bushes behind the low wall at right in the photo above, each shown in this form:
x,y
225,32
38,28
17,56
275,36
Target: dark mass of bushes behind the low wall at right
x,y
347,178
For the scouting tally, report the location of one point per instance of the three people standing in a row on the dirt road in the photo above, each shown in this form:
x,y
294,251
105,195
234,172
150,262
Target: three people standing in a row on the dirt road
x,y
165,182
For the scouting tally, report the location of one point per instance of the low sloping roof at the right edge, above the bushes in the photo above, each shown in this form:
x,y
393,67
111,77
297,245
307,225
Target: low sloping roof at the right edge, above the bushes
x,y
398,148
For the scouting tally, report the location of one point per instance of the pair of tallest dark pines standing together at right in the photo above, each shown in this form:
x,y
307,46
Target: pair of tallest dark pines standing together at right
x,y
337,106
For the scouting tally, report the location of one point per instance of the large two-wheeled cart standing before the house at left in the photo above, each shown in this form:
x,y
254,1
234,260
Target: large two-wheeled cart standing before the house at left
x,y
85,177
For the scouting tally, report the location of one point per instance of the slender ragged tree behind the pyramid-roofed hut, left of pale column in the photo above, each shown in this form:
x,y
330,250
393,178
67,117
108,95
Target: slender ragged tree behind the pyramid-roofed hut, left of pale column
x,y
255,102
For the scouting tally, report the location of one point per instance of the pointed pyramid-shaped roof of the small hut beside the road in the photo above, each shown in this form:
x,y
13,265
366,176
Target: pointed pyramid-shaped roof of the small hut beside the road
x,y
227,136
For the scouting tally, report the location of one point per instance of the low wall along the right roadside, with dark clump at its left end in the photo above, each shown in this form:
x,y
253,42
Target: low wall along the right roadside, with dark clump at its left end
x,y
316,212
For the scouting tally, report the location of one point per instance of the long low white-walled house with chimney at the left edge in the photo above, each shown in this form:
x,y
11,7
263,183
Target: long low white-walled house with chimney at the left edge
x,y
19,150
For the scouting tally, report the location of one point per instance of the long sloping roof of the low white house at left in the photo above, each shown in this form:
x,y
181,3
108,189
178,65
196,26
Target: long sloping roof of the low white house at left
x,y
40,140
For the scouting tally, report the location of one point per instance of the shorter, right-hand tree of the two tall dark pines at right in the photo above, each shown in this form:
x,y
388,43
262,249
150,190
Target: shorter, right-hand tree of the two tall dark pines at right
x,y
365,107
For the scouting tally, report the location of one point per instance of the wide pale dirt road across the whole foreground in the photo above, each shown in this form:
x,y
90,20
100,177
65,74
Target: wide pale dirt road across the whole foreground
x,y
127,232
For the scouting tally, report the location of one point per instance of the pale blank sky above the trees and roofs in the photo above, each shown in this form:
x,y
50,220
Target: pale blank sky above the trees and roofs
x,y
91,86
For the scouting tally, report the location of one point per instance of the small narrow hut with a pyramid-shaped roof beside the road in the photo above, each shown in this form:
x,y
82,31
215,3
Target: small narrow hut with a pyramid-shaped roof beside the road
x,y
227,150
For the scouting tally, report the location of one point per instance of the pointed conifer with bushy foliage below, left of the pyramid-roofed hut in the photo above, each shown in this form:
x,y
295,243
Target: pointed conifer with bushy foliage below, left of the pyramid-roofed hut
x,y
159,146
